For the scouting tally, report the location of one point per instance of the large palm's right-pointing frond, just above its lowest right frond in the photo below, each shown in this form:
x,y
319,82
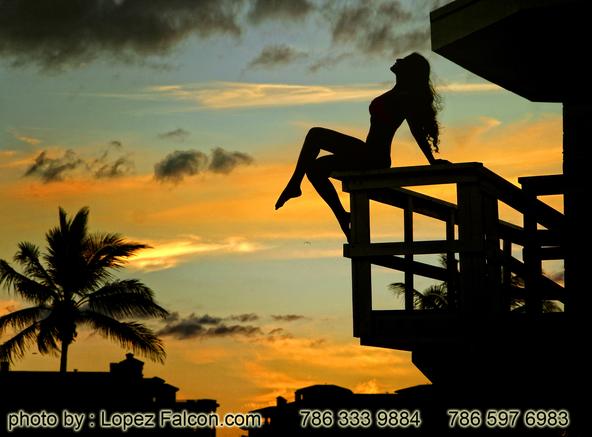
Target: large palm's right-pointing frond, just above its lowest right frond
x,y
124,299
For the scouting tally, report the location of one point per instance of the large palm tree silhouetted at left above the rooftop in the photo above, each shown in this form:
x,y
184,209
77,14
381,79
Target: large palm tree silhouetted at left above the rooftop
x,y
72,285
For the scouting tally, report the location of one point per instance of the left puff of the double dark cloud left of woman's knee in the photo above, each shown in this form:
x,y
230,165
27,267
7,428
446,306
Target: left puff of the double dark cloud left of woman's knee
x,y
178,164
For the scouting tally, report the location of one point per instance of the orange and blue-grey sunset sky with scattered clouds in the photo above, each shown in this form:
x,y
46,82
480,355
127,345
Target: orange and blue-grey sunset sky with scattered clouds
x,y
177,123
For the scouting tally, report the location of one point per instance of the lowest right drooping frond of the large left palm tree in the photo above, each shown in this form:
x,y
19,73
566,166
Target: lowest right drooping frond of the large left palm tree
x,y
131,335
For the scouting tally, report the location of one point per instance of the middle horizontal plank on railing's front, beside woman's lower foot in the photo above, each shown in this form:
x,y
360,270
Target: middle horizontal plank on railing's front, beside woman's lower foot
x,y
416,248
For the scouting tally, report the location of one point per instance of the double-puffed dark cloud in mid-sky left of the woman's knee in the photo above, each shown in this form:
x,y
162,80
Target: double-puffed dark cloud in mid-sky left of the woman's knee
x,y
179,164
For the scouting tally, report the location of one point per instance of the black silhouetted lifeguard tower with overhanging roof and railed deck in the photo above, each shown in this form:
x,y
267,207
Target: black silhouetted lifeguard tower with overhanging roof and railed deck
x,y
533,48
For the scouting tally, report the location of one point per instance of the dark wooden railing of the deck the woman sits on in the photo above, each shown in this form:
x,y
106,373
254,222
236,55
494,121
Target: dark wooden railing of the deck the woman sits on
x,y
481,283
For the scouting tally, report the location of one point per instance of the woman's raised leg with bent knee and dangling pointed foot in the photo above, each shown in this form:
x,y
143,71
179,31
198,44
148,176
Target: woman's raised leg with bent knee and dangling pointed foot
x,y
316,140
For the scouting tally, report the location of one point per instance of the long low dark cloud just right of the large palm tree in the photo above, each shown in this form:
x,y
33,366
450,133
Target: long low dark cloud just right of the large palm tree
x,y
205,326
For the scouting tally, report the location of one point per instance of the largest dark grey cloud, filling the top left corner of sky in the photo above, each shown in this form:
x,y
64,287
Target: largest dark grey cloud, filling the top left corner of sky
x,y
61,34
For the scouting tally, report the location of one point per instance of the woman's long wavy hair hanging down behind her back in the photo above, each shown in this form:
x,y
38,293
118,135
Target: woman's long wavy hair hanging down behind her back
x,y
425,102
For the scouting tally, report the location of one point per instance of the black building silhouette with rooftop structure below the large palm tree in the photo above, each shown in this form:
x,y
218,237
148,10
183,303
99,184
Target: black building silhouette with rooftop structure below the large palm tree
x,y
123,389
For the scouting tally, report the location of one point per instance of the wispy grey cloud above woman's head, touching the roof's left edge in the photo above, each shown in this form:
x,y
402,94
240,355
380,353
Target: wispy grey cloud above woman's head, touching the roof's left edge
x,y
380,27
